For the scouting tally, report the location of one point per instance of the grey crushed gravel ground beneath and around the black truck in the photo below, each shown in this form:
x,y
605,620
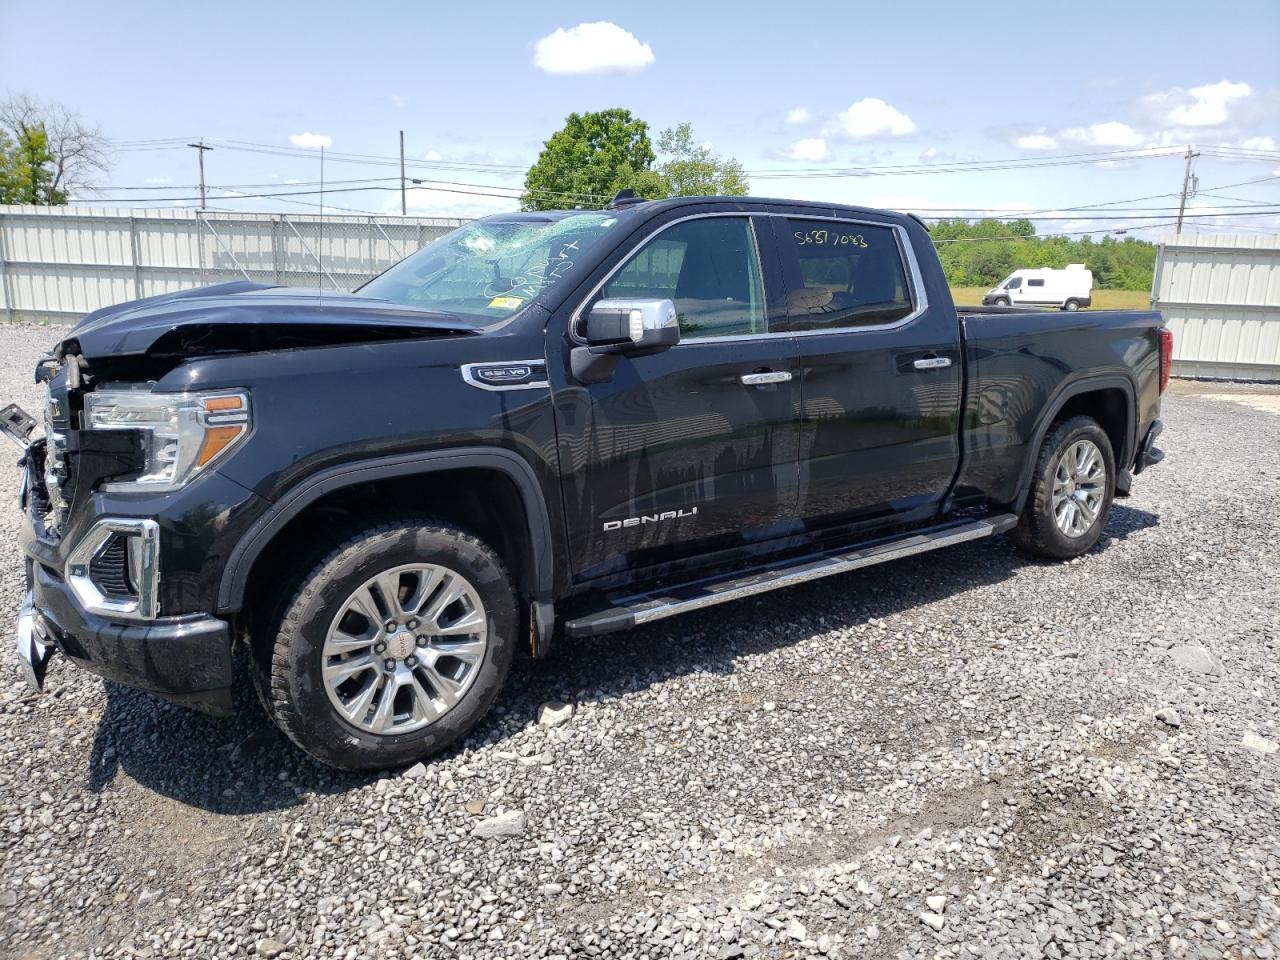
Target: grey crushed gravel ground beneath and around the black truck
x,y
963,755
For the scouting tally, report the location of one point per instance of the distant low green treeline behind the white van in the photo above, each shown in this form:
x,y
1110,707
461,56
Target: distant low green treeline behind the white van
x,y
1124,264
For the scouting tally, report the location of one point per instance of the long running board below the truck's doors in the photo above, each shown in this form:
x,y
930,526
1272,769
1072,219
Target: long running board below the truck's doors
x,y
629,611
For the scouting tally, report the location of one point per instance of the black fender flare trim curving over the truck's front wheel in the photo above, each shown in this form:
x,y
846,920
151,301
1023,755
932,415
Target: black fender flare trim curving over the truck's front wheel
x,y
240,563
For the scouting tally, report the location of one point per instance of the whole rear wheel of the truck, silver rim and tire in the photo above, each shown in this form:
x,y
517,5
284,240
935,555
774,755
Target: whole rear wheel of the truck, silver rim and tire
x,y
1073,486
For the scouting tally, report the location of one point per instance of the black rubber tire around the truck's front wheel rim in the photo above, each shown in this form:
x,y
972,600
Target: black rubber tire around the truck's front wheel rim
x,y
290,650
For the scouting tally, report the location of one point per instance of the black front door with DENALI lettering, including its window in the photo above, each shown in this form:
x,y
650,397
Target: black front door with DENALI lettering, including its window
x,y
678,456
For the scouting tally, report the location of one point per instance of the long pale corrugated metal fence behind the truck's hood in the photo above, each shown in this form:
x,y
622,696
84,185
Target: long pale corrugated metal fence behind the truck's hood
x,y
62,263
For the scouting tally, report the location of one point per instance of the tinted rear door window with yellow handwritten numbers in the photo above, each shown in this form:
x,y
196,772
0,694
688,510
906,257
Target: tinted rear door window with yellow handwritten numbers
x,y
852,275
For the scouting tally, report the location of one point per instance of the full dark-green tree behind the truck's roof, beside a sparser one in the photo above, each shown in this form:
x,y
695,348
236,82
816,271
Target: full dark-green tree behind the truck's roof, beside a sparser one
x,y
592,158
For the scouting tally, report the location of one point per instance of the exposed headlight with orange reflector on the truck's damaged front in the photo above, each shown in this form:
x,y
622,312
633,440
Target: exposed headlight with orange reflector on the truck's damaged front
x,y
182,433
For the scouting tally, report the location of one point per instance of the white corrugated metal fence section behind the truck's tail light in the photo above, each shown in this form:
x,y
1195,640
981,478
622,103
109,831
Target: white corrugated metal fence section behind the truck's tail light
x,y
1220,296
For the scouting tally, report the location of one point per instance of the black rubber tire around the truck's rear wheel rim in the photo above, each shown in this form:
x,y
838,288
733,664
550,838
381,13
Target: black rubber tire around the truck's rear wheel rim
x,y
1037,532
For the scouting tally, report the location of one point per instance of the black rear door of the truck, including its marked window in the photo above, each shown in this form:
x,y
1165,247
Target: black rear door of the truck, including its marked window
x,y
881,373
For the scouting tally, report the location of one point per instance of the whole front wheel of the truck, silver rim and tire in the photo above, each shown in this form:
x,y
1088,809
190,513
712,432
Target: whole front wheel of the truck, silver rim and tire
x,y
392,647
